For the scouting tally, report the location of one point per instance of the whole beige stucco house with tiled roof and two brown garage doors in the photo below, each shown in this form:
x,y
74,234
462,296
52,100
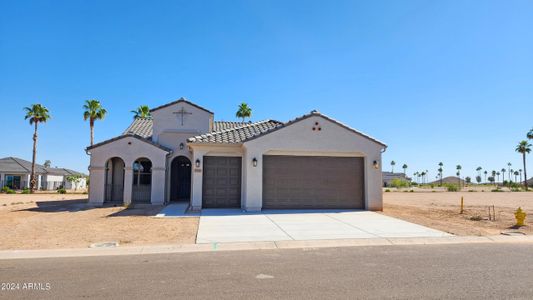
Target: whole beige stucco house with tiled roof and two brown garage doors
x,y
182,154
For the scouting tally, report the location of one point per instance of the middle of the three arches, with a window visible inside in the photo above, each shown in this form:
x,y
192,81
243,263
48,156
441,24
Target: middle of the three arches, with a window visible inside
x,y
141,191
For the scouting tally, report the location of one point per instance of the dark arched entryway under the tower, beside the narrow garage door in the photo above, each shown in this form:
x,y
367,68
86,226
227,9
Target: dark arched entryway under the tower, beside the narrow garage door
x,y
180,179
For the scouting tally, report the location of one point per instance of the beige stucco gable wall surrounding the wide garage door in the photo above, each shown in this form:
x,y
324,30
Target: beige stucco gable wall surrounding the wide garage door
x,y
300,139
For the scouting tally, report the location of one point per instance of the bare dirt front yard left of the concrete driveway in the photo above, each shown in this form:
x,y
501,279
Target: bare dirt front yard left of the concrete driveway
x,y
46,221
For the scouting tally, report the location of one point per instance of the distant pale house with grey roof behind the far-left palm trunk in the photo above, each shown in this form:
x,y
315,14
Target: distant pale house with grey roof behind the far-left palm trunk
x,y
15,173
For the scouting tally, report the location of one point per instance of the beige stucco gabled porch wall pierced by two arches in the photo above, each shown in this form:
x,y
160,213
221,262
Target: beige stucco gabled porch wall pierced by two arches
x,y
128,149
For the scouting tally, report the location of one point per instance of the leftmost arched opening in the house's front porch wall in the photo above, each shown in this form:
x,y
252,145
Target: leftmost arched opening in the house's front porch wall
x,y
114,180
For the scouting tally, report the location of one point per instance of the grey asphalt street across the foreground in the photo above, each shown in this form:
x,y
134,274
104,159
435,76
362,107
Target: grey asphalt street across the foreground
x,y
473,271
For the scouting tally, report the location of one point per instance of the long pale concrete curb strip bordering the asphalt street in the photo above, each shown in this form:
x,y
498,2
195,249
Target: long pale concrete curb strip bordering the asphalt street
x,y
241,246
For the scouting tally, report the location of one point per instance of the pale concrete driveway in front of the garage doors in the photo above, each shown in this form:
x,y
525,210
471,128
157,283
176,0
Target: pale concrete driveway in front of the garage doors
x,y
222,225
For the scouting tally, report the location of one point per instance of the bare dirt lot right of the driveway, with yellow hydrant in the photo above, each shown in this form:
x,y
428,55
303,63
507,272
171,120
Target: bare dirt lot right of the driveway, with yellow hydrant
x,y
440,210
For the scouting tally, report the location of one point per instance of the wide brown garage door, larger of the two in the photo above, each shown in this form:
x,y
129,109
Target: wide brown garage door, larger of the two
x,y
313,182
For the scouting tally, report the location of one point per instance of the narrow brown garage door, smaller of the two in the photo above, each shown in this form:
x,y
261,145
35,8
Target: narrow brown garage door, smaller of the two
x,y
221,182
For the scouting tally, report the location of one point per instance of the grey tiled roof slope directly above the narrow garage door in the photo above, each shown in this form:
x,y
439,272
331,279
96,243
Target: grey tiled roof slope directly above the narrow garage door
x,y
236,135
